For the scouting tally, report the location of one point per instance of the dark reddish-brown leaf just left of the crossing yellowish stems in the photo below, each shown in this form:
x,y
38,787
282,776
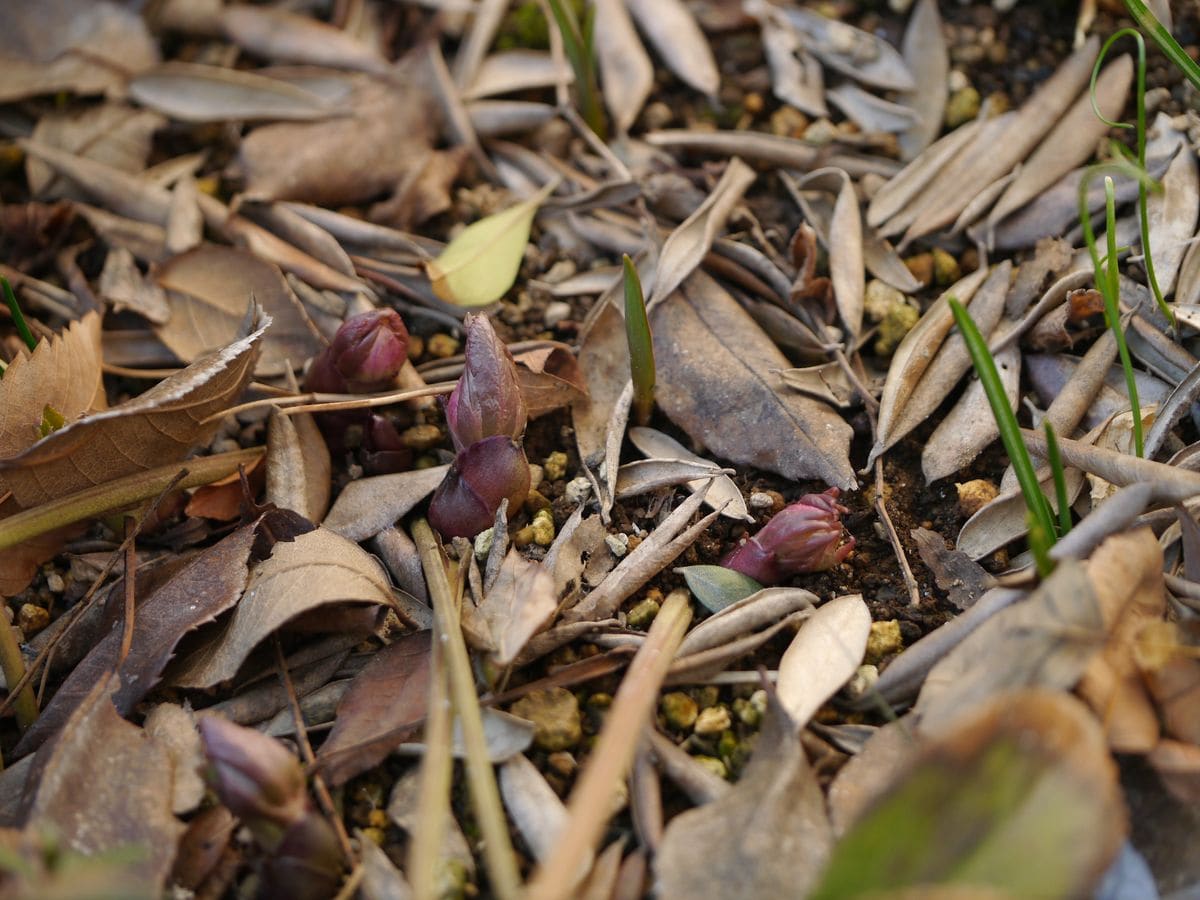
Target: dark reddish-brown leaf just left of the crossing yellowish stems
x,y
382,709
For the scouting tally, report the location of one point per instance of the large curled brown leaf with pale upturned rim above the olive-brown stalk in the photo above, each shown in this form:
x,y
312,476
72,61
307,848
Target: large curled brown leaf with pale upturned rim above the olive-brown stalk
x,y
151,430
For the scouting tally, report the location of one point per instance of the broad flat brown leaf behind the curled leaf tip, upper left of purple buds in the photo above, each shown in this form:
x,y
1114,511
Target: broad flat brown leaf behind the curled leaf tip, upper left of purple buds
x,y
207,291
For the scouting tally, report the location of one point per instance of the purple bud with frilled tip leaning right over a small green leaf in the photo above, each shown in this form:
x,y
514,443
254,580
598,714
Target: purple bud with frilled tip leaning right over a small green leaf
x,y
805,537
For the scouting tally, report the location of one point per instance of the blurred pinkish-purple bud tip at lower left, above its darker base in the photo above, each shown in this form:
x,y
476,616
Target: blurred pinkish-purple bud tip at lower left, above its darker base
x,y
255,777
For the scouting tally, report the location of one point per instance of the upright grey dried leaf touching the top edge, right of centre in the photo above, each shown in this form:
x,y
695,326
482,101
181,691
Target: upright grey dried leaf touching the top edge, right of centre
x,y
928,59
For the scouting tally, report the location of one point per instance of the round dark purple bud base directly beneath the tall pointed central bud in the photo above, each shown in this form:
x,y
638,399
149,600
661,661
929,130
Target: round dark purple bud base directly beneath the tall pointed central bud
x,y
482,476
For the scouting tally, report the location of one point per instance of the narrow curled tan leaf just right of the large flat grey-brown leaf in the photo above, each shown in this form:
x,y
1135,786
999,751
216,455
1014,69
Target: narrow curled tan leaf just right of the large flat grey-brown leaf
x,y
917,351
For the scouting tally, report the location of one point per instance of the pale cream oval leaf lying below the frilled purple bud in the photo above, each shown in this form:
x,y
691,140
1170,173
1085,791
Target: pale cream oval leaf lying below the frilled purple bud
x,y
824,656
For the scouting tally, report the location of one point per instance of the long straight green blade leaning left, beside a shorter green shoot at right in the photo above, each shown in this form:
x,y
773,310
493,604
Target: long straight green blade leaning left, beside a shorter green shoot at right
x,y
1040,514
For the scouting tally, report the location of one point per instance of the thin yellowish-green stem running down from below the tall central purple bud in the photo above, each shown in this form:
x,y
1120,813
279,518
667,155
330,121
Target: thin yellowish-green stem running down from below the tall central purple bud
x,y
502,866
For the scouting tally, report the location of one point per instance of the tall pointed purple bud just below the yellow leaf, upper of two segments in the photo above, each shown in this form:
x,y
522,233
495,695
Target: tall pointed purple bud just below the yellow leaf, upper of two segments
x,y
488,399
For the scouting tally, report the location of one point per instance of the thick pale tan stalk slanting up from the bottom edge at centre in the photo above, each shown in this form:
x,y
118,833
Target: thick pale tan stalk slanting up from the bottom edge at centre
x,y
591,803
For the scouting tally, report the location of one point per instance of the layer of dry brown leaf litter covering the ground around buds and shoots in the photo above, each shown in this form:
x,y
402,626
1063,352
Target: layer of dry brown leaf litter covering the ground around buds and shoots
x,y
309,171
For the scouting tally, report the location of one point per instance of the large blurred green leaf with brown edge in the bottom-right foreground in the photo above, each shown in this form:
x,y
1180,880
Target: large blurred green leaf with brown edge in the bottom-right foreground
x,y
1019,796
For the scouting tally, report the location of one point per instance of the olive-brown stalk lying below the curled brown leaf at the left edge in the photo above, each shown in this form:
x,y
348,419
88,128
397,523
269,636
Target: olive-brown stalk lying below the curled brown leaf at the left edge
x,y
119,494
